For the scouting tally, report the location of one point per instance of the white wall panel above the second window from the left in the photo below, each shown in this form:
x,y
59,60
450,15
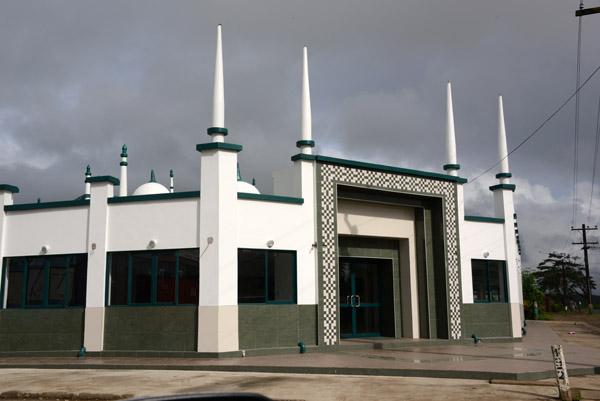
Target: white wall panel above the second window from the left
x,y
172,223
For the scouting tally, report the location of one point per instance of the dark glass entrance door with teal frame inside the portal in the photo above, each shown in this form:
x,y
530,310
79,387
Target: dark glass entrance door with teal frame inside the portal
x,y
360,293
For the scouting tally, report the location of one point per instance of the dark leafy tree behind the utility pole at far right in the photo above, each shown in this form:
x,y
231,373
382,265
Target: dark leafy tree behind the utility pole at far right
x,y
562,276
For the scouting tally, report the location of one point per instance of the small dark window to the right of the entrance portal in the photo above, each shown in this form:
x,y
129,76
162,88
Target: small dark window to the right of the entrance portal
x,y
489,280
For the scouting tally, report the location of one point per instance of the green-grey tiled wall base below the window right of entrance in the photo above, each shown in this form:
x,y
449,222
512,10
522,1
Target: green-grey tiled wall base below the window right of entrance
x,y
486,319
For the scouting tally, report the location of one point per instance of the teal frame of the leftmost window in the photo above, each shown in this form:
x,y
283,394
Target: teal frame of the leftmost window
x,y
46,286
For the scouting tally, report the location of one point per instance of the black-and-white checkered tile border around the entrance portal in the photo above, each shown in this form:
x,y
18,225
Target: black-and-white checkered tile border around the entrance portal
x,y
330,175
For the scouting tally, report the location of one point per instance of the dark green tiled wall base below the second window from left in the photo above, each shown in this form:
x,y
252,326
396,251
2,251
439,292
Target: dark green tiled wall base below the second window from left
x,y
151,328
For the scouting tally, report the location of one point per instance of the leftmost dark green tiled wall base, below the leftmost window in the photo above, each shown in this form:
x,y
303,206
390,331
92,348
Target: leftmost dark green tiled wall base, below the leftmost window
x,y
41,329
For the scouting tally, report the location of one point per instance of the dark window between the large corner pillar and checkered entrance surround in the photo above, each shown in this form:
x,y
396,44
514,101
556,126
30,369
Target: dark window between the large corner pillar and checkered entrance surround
x,y
266,276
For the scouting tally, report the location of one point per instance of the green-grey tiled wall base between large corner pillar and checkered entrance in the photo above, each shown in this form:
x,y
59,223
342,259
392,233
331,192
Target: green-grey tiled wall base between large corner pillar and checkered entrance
x,y
276,326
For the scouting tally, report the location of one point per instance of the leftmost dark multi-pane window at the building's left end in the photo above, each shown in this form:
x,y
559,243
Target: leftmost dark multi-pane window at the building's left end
x,y
45,281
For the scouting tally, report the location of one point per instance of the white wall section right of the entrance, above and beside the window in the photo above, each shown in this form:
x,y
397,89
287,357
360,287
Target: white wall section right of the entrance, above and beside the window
x,y
478,238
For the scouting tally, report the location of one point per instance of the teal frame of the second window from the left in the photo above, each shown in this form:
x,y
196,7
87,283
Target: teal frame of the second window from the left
x,y
154,277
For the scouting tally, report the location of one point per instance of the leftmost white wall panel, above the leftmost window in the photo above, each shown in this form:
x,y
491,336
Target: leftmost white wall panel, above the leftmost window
x,y
64,230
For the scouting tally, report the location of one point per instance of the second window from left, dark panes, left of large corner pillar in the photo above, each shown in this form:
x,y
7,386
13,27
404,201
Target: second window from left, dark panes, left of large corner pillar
x,y
153,278
